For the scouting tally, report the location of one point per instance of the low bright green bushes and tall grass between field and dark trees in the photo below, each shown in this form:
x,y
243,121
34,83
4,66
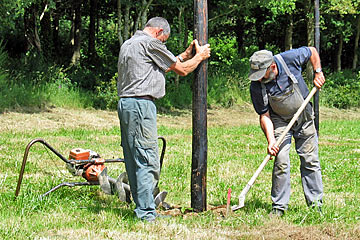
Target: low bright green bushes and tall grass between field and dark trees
x,y
39,84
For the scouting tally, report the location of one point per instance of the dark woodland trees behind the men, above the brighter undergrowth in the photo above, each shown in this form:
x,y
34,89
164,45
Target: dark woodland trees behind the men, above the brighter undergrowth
x,y
83,37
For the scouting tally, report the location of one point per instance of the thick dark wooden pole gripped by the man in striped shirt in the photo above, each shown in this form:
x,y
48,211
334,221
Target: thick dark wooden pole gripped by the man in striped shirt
x,y
199,114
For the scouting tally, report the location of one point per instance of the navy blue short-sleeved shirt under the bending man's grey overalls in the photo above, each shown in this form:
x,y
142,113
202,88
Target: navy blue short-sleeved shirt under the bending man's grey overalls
x,y
294,59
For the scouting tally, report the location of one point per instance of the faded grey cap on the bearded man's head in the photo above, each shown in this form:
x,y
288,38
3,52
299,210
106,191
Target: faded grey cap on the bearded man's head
x,y
259,62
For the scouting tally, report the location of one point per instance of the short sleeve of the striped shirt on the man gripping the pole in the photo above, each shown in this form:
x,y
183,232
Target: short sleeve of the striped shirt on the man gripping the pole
x,y
162,57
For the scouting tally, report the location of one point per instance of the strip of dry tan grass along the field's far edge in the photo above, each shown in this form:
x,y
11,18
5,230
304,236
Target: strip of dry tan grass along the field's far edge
x,y
58,118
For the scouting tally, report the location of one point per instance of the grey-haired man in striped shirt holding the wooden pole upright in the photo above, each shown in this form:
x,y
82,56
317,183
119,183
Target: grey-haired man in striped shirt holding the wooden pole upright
x,y
143,62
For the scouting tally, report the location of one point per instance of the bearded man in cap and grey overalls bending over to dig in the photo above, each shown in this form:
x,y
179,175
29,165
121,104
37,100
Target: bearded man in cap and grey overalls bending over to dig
x,y
277,91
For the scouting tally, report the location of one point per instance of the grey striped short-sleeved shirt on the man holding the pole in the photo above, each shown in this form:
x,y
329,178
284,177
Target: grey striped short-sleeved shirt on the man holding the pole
x,y
142,63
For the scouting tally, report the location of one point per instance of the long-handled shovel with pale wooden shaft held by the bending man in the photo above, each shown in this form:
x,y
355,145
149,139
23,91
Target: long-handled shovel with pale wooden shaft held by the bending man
x,y
267,158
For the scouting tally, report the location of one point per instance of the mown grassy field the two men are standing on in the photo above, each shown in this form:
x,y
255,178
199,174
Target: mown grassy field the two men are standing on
x,y
236,147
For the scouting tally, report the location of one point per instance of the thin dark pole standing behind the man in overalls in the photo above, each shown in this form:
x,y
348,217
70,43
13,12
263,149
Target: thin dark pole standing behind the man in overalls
x,y
317,45
